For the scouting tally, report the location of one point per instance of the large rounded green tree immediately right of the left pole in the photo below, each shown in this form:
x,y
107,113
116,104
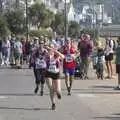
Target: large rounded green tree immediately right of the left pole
x,y
40,16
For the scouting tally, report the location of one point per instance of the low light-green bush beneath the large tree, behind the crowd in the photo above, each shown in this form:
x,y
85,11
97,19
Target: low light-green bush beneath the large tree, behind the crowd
x,y
42,32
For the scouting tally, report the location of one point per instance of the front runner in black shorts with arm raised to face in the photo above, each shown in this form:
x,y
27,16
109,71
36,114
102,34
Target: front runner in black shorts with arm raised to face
x,y
53,74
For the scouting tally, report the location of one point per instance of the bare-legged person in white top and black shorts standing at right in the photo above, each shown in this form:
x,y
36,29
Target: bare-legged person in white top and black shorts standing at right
x,y
109,57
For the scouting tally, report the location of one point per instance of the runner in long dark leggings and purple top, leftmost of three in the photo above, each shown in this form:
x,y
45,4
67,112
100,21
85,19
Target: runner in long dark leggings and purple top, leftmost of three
x,y
38,60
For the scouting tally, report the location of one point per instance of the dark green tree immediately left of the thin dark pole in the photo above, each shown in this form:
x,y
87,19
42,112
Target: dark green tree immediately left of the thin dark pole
x,y
16,21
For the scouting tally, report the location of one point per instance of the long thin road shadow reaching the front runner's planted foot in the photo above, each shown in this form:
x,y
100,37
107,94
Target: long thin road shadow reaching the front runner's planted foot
x,y
26,109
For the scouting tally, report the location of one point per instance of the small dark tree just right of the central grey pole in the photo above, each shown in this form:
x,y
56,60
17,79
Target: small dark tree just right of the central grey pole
x,y
74,29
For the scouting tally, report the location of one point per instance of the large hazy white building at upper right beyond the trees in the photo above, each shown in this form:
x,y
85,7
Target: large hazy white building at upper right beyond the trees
x,y
92,12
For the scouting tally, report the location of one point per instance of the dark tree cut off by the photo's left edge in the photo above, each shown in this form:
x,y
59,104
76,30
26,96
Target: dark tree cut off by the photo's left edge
x,y
3,28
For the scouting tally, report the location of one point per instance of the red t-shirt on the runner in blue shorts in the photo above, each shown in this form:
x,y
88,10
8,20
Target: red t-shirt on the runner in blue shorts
x,y
69,61
